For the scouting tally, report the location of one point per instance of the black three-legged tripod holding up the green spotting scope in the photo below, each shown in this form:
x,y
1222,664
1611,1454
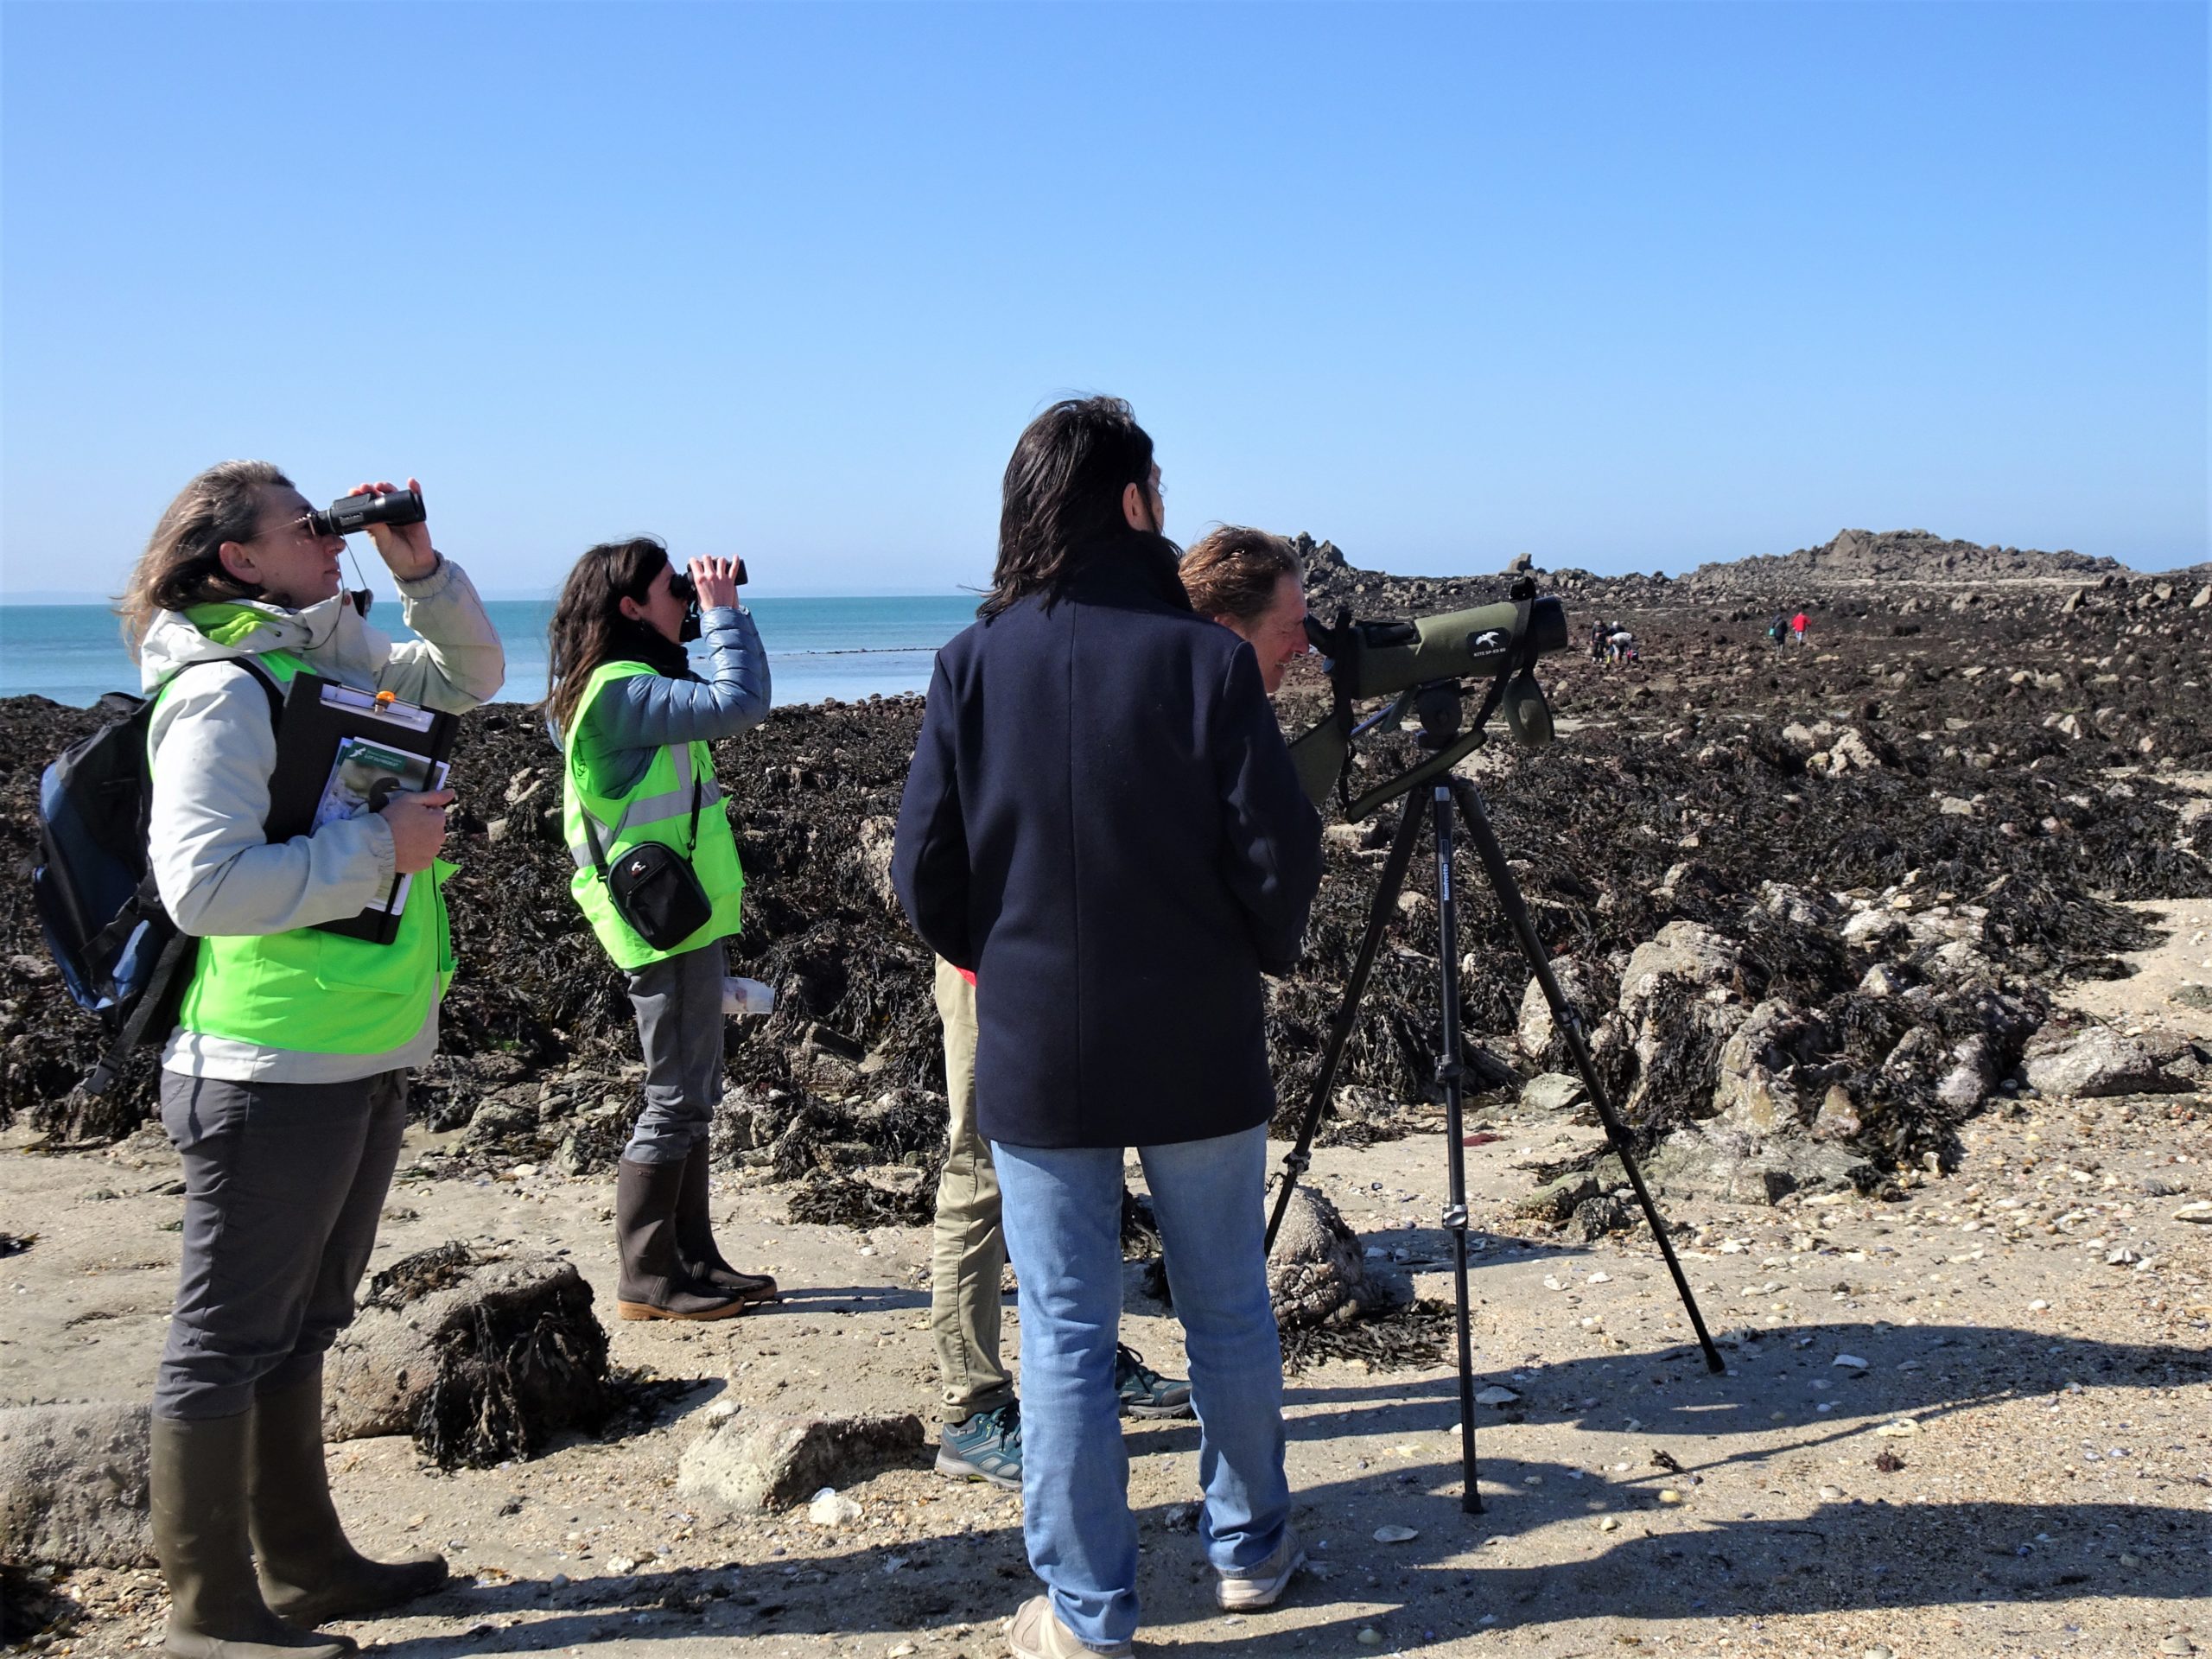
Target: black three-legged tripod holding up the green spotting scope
x,y
1446,793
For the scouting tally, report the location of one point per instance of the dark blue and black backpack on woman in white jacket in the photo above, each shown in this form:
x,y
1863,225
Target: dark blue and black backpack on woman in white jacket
x,y
121,954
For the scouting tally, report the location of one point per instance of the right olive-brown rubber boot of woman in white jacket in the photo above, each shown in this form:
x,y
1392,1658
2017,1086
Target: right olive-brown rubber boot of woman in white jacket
x,y
309,1569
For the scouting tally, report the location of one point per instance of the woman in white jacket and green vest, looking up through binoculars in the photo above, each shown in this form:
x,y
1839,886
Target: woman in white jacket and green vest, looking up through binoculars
x,y
286,1078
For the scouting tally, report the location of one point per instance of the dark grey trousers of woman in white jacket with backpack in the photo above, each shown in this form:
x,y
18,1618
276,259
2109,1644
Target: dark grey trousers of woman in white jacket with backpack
x,y
282,1193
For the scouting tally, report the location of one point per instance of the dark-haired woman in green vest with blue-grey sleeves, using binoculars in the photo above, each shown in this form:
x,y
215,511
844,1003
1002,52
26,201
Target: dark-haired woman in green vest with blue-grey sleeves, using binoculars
x,y
636,727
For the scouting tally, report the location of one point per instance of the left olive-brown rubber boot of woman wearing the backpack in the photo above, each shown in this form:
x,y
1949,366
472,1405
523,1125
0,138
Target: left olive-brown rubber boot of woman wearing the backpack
x,y
216,1609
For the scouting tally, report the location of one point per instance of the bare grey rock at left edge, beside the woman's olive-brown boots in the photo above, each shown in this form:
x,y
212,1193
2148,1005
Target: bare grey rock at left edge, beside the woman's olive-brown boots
x,y
74,1485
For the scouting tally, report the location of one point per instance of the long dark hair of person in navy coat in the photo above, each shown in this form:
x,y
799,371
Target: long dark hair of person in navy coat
x,y
1063,497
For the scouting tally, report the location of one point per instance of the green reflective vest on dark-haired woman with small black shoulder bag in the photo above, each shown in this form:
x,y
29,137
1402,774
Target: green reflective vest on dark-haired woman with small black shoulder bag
x,y
656,808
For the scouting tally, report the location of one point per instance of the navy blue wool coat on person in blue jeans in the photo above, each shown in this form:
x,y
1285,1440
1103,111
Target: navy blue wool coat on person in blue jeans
x,y
1103,822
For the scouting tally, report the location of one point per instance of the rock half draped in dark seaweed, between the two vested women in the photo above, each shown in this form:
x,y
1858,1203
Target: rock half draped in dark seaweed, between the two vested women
x,y
477,1355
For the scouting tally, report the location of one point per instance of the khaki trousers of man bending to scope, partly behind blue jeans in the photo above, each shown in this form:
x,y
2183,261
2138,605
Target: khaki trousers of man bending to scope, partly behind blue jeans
x,y
968,1249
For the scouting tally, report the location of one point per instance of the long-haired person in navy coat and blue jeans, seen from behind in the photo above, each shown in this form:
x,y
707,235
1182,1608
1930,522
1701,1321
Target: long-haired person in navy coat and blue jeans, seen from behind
x,y
1103,824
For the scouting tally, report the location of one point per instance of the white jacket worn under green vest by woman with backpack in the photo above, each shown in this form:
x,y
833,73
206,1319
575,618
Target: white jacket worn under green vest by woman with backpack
x,y
211,791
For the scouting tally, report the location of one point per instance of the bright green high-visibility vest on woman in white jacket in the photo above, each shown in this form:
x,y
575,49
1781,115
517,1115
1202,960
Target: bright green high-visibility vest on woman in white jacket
x,y
315,992
